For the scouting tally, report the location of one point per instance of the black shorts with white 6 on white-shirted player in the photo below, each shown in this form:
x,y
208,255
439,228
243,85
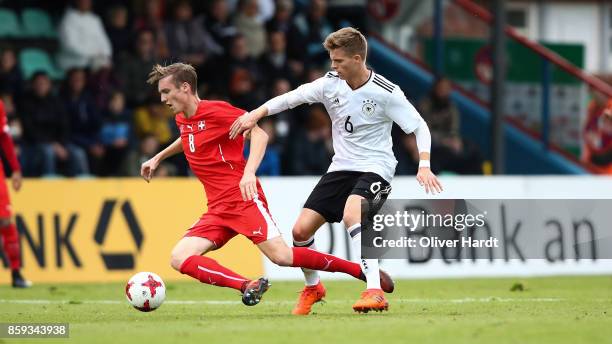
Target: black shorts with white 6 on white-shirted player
x,y
329,197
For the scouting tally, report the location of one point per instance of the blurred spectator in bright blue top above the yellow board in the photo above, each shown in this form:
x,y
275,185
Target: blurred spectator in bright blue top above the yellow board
x,y
115,135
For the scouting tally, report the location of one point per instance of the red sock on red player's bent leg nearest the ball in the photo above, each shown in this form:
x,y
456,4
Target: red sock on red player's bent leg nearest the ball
x,y
208,271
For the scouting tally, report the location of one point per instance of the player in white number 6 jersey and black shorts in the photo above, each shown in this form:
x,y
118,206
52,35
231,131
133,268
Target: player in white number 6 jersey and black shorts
x,y
363,106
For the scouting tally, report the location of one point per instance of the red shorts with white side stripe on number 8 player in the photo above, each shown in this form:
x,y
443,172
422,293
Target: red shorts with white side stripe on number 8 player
x,y
220,224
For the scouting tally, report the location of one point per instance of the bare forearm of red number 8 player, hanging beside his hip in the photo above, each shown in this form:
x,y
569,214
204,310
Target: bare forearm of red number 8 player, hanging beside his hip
x,y
248,183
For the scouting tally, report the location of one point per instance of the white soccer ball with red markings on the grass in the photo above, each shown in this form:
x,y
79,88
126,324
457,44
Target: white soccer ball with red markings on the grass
x,y
145,291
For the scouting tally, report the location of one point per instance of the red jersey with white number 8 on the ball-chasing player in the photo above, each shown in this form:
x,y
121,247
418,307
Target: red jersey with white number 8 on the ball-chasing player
x,y
217,161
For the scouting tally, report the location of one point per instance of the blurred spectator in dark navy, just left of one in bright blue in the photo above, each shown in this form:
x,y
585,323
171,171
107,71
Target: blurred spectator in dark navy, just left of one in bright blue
x,y
85,119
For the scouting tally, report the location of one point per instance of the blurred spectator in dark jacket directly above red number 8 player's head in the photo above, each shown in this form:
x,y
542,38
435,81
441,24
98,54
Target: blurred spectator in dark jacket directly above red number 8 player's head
x,y
187,39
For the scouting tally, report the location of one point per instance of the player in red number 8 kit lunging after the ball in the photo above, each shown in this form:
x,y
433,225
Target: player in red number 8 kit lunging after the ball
x,y
236,202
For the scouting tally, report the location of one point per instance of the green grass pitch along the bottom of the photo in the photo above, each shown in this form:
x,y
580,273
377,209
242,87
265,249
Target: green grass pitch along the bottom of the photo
x,y
548,310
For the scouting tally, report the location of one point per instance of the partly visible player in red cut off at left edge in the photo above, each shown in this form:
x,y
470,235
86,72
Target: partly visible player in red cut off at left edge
x,y
8,230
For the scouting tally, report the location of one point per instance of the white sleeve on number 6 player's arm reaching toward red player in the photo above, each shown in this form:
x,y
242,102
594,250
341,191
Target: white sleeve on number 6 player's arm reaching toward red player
x,y
309,93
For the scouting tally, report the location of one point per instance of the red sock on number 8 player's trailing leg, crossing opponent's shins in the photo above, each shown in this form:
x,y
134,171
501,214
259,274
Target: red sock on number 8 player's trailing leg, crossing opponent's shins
x,y
306,258
